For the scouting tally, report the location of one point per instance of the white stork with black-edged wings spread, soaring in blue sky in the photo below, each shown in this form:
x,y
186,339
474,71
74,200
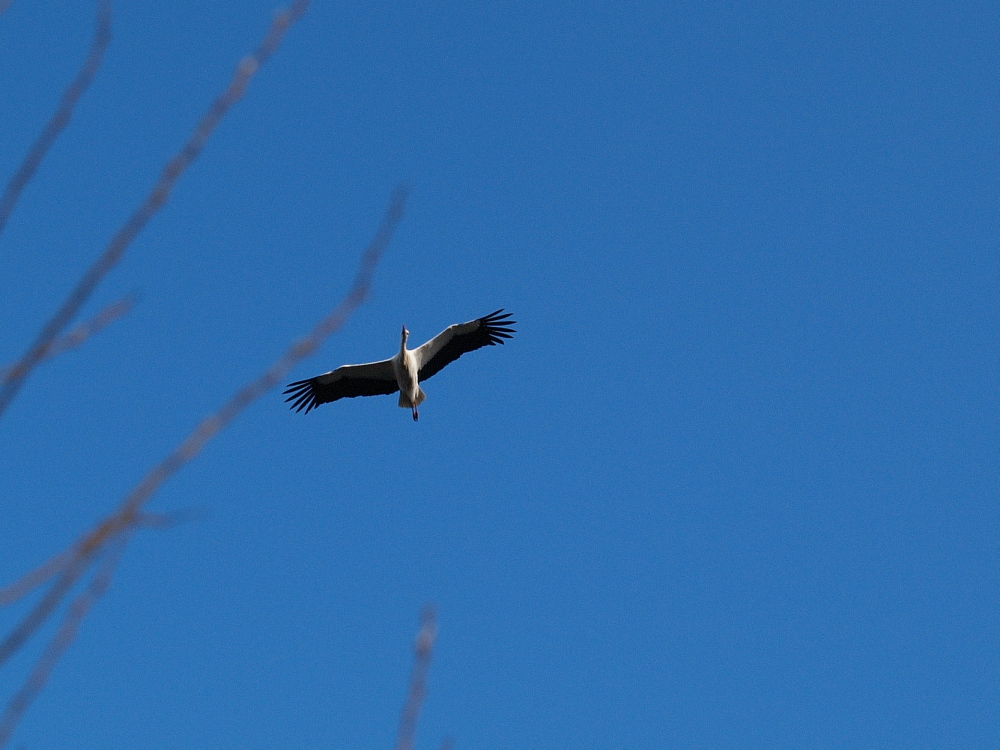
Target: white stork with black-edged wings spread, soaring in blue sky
x,y
405,371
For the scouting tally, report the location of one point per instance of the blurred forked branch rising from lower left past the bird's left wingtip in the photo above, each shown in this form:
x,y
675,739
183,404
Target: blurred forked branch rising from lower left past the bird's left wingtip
x,y
114,531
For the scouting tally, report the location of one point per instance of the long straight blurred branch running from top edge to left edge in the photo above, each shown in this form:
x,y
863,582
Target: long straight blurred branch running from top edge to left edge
x,y
152,203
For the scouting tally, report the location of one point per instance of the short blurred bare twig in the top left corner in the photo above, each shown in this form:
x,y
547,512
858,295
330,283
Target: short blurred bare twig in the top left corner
x,y
52,129
